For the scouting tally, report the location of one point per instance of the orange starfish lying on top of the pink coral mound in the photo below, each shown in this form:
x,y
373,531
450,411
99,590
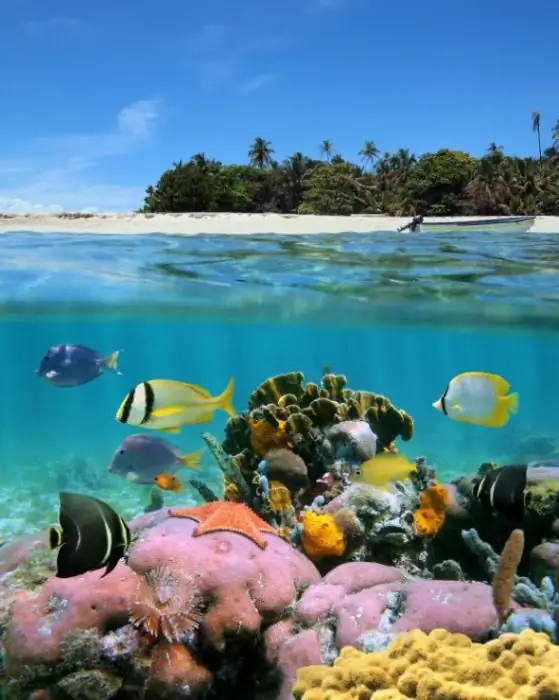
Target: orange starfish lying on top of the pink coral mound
x,y
226,516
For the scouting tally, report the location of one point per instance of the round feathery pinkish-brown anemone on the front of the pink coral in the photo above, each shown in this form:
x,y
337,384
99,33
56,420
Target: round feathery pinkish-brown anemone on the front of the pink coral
x,y
168,604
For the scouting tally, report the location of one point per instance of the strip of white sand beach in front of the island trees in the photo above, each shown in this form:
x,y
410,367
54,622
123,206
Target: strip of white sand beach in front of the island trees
x,y
235,224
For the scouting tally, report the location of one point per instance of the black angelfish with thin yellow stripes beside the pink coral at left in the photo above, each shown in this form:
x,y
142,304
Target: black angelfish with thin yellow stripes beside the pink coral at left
x,y
90,536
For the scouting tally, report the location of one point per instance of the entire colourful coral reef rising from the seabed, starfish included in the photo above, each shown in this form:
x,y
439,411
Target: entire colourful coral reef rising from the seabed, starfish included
x,y
299,551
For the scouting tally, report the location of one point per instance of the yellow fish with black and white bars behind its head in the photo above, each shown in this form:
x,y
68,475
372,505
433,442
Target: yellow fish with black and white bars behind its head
x,y
168,405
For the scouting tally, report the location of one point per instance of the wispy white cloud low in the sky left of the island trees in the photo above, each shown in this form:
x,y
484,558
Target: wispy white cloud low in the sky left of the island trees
x,y
58,175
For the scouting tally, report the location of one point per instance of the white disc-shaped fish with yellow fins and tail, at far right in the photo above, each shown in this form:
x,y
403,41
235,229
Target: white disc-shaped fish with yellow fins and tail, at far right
x,y
478,398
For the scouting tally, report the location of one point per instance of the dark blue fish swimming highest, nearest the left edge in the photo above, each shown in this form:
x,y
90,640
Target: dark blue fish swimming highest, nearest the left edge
x,y
67,365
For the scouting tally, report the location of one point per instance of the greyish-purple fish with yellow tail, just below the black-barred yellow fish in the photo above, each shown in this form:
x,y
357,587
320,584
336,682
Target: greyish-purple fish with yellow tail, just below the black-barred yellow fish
x,y
140,458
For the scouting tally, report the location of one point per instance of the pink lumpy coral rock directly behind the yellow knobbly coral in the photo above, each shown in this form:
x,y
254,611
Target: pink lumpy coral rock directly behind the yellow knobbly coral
x,y
366,606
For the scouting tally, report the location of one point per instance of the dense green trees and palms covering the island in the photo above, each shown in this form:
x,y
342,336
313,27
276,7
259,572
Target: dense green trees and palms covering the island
x,y
443,183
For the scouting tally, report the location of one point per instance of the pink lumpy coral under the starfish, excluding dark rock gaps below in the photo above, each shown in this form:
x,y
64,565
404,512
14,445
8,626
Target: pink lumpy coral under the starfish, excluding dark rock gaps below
x,y
240,586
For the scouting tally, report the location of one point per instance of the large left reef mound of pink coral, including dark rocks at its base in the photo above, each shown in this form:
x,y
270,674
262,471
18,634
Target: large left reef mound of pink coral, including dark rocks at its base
x,y
184,617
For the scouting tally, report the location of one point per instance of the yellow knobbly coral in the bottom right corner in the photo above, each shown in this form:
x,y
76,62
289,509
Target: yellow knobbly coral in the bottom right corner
x,y
439,666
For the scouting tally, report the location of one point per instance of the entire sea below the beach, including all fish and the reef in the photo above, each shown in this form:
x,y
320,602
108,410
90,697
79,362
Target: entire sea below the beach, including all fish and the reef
x,y
268,467
